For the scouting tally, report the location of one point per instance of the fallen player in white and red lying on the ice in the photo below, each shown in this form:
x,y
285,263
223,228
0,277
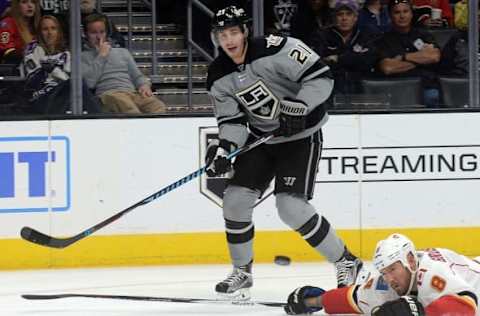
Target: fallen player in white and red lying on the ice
x,y
409,283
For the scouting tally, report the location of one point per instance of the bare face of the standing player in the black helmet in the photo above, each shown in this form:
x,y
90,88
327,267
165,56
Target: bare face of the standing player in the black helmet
x,y
232,41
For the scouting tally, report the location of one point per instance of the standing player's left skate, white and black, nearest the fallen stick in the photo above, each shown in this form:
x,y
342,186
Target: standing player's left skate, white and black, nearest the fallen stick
x,y
236,286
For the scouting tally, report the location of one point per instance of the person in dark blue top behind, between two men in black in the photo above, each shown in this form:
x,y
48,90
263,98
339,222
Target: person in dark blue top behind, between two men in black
x,y
374,18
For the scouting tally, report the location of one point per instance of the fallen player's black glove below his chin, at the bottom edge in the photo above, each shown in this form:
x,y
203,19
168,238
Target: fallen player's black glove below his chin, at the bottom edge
x,y
404,306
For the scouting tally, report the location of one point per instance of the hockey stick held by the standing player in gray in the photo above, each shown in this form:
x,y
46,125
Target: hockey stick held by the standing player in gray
x,y
34,236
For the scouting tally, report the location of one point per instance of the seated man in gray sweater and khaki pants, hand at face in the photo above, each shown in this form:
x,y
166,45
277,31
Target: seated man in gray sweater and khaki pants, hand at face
x,y
113,74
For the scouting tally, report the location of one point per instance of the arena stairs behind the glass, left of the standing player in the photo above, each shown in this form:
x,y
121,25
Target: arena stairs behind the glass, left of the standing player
x,y
171,82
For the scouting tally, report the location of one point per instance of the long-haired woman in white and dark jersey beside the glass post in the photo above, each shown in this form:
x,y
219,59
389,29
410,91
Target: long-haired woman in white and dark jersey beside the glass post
x,y
47,70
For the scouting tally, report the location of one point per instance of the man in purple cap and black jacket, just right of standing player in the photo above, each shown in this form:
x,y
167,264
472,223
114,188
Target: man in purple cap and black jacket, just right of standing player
x,y
348,51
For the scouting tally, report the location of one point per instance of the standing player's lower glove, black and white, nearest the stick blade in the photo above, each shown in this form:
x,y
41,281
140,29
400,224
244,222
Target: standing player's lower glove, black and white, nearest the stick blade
x,y
216,160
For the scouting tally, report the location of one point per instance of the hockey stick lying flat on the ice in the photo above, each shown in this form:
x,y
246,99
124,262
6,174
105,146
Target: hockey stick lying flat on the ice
x,y
151,298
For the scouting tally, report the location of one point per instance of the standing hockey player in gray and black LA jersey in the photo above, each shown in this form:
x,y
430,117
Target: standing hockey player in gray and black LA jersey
x,y
269,85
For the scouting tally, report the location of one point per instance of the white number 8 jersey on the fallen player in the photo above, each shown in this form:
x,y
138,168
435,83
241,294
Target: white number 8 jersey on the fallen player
x,y
440,272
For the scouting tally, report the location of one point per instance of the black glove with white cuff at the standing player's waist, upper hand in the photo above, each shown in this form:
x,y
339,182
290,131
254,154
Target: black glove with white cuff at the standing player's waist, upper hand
x,y
293,115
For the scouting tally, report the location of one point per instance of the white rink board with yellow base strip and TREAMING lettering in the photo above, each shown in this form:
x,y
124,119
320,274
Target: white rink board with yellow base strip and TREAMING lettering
x,y
413,173
